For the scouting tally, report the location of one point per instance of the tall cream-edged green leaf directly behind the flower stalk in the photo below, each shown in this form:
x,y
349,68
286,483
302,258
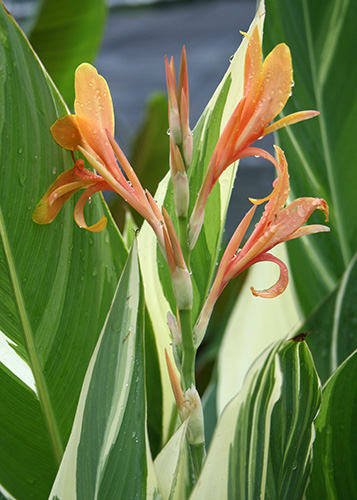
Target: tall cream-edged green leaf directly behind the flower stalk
x,y
156,278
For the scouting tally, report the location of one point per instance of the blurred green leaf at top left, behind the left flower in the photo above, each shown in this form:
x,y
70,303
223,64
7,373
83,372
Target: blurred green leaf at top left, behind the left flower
x,y
65,34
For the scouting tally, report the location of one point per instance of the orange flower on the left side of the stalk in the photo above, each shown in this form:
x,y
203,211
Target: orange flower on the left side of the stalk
x,y
90,131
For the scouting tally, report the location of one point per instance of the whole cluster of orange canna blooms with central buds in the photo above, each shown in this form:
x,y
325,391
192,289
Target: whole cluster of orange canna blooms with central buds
x,y
90,131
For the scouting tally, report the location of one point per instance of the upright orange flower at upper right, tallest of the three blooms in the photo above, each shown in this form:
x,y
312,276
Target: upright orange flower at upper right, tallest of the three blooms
x,y
267,87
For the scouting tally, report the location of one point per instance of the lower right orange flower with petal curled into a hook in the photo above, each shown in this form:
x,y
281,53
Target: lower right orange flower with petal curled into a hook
x,y
277,224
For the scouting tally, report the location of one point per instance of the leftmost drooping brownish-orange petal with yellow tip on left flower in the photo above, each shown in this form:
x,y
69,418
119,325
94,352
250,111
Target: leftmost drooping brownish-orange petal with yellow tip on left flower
x,y
47,209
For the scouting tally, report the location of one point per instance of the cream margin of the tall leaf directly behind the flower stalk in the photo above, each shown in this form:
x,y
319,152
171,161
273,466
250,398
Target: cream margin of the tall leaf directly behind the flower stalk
x,y
155,300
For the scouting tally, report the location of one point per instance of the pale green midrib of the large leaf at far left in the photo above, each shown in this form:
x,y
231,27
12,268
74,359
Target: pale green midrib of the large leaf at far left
x,y
35,364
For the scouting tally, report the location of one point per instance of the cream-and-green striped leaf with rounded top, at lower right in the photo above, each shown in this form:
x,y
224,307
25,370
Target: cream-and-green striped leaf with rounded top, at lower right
x,y
263,441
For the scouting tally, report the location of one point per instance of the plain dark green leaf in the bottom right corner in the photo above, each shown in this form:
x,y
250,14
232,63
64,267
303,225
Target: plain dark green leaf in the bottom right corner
x,y
334,452
